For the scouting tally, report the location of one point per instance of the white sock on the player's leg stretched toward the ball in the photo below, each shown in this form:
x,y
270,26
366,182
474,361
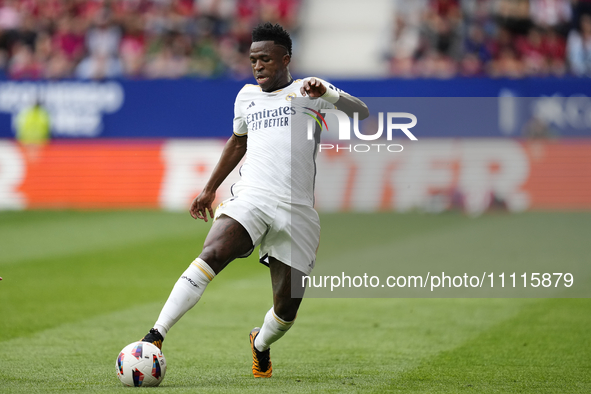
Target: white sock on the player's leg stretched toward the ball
x,y
185,294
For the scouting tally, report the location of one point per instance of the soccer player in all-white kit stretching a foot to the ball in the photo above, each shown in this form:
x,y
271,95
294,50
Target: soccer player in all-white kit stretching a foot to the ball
x,y
276,190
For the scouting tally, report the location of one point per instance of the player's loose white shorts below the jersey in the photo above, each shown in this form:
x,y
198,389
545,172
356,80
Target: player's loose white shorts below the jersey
x,y
288,232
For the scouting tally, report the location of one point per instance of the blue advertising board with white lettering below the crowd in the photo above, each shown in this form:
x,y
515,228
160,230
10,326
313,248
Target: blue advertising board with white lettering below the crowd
x,y
190,108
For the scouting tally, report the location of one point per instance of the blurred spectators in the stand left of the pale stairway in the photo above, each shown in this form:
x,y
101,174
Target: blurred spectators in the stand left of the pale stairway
x,y
97,39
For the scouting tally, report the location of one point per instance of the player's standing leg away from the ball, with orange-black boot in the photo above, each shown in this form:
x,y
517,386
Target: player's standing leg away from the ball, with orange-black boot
x,y
279,318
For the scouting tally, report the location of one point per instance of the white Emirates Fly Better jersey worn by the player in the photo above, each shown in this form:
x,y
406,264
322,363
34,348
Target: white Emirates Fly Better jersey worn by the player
x,y
280,159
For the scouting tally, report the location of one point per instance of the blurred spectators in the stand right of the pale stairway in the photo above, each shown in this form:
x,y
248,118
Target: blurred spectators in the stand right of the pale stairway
x,y
497,38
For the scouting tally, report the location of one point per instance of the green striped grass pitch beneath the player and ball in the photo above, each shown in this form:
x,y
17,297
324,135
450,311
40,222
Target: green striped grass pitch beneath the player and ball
x,y
79,286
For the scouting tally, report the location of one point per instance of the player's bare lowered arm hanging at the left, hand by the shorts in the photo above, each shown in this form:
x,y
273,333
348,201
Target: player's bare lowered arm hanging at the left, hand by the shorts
x,y
231,155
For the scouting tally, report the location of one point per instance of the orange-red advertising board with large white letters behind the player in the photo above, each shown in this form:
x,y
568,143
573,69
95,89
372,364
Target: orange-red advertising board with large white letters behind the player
x,y
169,173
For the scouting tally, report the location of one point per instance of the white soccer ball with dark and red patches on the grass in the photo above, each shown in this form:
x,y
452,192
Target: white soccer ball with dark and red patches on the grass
x,y
141,364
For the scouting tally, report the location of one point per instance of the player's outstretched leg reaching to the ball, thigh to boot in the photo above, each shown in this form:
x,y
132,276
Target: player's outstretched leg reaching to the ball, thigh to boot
x,y
226,241
